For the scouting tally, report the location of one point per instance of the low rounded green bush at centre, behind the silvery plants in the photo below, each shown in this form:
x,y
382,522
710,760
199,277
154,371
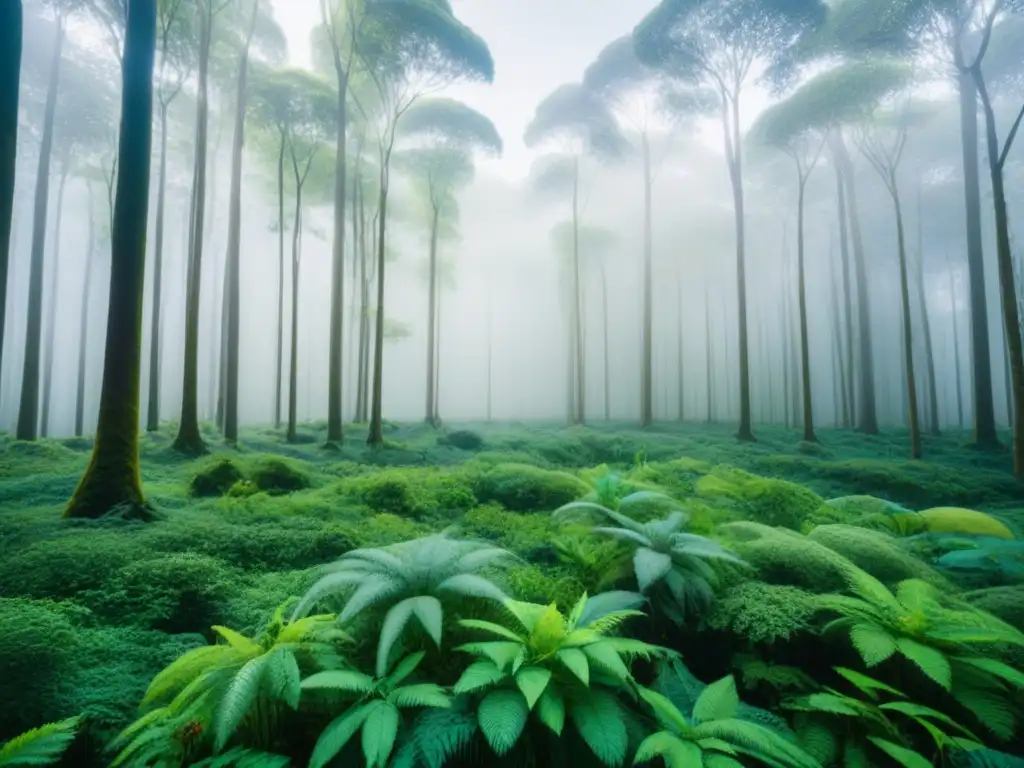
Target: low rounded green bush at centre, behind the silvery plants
x,y
525,489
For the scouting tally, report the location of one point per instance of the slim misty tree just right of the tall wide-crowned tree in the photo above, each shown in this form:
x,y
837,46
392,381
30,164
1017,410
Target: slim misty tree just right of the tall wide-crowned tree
x,y
785,126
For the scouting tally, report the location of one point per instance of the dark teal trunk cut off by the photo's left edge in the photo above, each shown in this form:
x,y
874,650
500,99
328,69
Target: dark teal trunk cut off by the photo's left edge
x,y
11,78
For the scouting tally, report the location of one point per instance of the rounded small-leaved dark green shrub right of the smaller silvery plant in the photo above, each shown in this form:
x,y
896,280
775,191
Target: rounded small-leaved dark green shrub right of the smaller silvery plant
x,y
763,613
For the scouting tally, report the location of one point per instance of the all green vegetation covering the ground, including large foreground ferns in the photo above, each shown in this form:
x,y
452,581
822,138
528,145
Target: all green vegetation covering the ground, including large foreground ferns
x,y
547,596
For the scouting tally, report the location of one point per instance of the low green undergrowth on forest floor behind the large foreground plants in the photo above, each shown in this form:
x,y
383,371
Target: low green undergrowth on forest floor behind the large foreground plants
x,y
92,611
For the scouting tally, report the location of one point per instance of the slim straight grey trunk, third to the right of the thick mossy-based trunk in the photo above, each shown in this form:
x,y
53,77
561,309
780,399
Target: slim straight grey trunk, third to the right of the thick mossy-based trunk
x,y
232,268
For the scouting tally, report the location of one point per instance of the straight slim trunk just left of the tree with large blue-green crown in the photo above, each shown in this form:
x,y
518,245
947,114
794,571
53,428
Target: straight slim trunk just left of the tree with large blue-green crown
x,y
334,415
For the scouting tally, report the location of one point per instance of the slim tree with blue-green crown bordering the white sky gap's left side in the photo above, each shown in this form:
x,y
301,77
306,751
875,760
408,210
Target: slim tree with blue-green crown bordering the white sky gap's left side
x,y
409,49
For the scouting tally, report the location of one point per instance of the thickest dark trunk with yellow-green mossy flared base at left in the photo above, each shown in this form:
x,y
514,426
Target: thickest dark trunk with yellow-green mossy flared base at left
x,y
112,484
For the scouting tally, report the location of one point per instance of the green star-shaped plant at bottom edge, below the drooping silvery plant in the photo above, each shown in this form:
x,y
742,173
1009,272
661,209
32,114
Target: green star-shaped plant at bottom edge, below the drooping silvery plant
x,y
376,712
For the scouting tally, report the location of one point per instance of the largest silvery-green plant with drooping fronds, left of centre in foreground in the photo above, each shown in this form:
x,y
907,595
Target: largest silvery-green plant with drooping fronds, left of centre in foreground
x,y
410,580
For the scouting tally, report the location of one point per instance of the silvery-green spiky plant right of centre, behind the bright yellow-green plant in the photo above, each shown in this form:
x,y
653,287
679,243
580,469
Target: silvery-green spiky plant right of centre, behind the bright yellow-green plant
x,y
674,568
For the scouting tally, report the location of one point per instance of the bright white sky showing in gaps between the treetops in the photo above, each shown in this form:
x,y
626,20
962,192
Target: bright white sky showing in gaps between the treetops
x,y
537,47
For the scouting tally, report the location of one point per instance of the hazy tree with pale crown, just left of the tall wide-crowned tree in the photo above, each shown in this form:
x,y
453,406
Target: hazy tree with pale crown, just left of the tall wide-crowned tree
x,y
639,96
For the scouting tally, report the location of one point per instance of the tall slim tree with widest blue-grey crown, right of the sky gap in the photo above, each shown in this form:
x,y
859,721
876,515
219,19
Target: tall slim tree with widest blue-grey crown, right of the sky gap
x,y
718,45
